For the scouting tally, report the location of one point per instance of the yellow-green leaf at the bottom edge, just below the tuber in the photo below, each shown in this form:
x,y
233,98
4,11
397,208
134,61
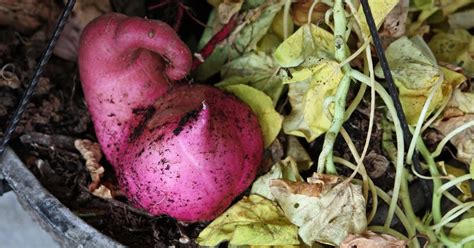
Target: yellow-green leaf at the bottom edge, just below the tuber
x,y
253,220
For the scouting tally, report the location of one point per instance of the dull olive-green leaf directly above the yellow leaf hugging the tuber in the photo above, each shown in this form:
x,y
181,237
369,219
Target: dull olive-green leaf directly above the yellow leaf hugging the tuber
x,y
255,69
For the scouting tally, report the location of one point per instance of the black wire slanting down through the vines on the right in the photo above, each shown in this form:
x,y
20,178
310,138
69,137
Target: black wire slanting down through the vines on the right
x,y
391,86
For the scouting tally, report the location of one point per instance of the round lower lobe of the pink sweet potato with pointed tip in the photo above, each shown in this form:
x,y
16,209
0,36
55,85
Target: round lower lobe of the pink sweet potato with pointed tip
x,y
199,151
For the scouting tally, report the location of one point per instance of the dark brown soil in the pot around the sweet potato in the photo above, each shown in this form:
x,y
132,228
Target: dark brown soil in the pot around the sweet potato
x,y
57,115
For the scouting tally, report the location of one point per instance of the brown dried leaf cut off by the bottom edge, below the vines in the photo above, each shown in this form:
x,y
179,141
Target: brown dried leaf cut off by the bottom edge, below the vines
x,y
370,239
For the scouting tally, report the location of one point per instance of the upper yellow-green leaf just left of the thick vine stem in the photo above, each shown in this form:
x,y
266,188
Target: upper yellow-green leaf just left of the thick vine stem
x,y
307,41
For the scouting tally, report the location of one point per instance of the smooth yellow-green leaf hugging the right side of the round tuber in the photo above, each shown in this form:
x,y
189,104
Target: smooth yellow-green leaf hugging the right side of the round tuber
x,y
262,105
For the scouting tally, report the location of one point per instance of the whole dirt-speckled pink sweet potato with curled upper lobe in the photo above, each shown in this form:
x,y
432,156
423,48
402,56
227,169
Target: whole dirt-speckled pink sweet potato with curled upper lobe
x,y
181,150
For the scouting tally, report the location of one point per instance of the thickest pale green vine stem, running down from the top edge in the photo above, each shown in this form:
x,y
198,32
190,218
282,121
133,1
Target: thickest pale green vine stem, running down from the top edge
x,y
325,160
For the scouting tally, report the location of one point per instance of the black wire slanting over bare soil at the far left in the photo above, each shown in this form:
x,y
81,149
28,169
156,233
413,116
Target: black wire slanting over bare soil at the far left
x,y
36,75
